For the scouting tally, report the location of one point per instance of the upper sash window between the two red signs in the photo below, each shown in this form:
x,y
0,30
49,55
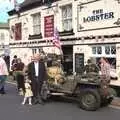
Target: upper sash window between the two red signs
x,y
36,23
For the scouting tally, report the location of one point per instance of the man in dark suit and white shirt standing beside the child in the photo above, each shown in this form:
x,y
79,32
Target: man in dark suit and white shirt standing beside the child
x,y
37,75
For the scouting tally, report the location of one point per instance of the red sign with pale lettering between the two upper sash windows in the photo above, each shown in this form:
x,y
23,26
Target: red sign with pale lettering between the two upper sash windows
x,y
49,26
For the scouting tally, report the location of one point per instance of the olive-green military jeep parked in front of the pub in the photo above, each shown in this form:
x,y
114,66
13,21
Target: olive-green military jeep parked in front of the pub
x,y
85,89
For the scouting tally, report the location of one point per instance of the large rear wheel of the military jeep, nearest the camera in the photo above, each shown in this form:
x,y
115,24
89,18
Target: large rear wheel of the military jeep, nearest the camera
x,y
89,100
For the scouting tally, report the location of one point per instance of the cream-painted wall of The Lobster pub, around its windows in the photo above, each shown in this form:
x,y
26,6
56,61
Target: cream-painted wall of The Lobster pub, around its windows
x,y
107,24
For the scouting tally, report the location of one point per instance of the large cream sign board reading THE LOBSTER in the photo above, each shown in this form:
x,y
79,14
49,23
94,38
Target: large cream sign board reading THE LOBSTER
x,y
98,14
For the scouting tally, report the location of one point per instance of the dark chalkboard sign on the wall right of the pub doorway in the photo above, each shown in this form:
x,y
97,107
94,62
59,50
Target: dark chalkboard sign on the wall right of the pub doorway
x,y
79,63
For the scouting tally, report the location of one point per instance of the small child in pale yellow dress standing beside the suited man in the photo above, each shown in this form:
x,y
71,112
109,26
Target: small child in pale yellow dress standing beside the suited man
x,y
28,92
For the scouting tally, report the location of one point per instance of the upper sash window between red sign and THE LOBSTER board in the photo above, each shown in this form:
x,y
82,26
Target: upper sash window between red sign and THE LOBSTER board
x,y
67,17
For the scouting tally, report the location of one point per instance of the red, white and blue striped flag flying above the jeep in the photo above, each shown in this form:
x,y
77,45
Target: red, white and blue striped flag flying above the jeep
x,y
56,40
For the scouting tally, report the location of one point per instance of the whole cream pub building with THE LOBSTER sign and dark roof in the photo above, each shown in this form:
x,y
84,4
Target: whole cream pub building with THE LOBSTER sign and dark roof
x,y
87,29
